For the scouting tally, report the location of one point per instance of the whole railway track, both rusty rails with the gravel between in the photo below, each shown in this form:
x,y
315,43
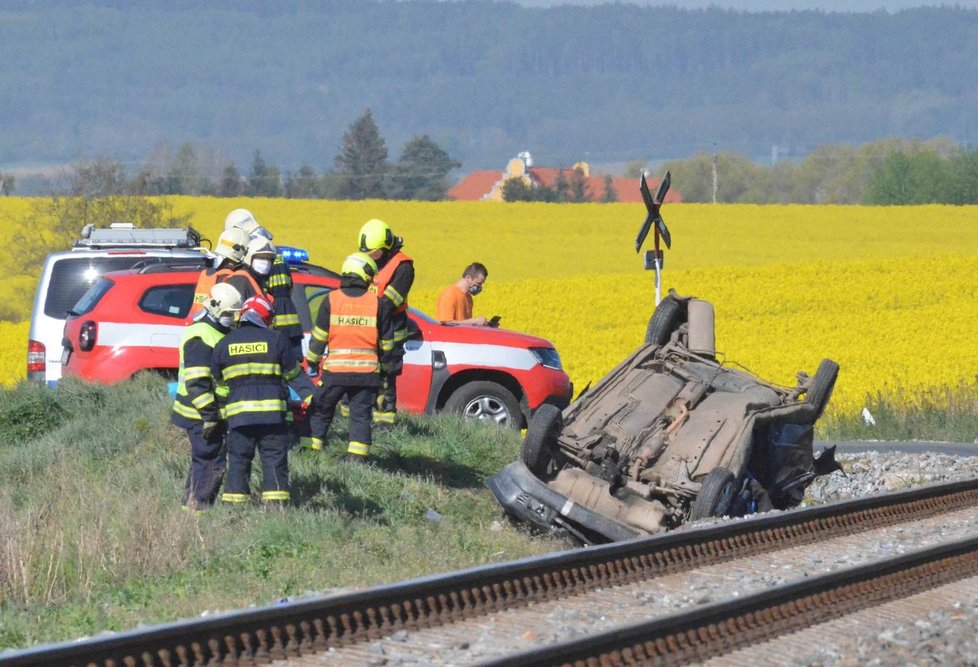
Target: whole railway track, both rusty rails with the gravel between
x,y
435,619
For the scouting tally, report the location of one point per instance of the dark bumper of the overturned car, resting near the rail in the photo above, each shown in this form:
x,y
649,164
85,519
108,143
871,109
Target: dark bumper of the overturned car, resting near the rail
x,y
524,496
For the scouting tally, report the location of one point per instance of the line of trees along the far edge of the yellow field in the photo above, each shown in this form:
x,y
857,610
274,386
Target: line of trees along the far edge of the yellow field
x,y
888,172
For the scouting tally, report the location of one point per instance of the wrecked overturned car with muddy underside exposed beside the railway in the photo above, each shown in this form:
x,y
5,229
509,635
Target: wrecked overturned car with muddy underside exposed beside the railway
x,y
670,435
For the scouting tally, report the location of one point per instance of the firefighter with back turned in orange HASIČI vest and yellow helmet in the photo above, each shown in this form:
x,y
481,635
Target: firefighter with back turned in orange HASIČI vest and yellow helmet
x,y
355,328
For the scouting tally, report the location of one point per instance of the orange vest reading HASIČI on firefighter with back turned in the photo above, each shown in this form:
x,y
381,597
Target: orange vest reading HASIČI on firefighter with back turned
x,y
353,338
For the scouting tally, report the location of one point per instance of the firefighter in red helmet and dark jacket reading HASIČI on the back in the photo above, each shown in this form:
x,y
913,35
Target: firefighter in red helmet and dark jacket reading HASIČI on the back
x,y
255,362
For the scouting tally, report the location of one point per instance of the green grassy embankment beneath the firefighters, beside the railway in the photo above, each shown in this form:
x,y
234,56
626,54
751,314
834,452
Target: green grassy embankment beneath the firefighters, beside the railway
x,y
93,537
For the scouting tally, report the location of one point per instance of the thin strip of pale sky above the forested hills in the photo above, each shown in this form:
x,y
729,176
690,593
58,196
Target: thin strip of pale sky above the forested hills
x,y
768,5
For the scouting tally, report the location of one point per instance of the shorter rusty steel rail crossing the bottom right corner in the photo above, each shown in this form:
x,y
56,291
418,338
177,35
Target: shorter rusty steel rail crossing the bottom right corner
x,y
716,629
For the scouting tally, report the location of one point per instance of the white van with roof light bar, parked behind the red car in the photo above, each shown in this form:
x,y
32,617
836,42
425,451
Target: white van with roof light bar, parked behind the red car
x,y
67,276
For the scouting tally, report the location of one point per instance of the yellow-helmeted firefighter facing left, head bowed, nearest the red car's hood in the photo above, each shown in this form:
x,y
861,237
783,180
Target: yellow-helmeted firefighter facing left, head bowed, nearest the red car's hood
x,y
393,281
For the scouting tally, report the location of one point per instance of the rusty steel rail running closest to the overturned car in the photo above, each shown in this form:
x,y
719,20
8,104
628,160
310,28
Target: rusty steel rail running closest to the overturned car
x,y
308,626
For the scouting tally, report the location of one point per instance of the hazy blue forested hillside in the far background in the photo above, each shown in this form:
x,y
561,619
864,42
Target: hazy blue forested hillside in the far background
x,y
484,80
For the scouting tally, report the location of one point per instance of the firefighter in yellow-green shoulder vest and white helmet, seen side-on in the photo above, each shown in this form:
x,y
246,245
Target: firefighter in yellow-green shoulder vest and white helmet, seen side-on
x,y
196,408
